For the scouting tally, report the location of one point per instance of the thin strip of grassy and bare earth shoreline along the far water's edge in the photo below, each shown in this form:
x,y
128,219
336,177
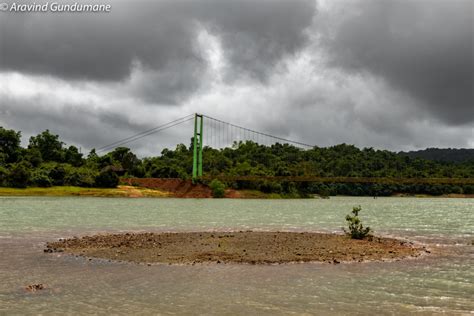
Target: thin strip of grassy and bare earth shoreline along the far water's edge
x,y
139,192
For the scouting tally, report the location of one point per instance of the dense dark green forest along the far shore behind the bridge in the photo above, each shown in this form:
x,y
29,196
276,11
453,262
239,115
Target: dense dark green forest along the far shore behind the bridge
x,y
47,161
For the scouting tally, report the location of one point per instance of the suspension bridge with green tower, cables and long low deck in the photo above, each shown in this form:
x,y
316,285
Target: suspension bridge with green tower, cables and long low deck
x,y
215,133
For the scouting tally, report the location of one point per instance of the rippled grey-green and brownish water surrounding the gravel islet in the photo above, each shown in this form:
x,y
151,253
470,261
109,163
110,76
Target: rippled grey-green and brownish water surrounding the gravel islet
x,y
439,283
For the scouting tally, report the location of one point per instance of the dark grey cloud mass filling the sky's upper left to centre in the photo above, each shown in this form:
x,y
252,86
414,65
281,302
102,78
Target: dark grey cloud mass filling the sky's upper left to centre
x,y
160,36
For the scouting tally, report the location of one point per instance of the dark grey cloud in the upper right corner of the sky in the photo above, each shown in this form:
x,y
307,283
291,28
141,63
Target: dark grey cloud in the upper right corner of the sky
x,y
424,48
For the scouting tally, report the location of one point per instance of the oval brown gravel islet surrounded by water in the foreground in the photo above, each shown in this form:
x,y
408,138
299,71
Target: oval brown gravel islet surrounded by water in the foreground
x,y
235,247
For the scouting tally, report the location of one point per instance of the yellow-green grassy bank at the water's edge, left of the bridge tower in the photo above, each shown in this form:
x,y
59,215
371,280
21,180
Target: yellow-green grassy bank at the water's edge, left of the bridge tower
x,y
120,191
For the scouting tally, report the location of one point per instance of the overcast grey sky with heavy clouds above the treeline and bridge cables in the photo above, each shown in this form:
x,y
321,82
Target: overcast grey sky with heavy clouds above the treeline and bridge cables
x,y
391,74
